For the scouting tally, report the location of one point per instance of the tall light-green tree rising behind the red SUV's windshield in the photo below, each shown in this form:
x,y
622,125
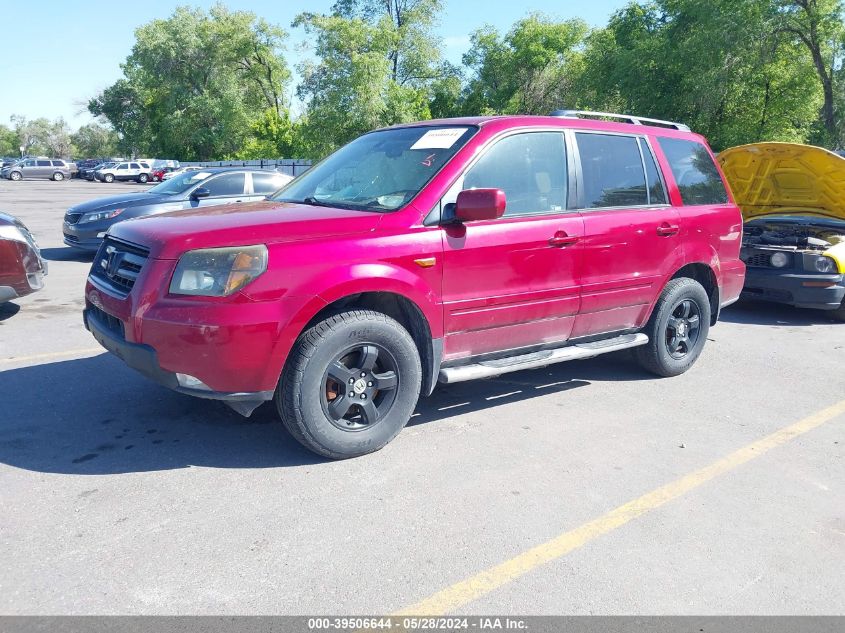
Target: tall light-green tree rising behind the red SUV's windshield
x,y
378,64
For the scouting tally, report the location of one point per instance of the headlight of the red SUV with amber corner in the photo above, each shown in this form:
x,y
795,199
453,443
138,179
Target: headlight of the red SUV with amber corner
x,y
218,272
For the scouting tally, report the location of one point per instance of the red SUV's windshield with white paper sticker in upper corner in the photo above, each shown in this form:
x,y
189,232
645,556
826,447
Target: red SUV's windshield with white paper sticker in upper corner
x,y
380,171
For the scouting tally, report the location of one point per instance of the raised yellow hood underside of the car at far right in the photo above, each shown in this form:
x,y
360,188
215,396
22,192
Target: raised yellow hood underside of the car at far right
x,y
785,179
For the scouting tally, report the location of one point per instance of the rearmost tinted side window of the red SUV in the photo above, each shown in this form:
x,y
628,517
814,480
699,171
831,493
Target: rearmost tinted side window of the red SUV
x,y
695,173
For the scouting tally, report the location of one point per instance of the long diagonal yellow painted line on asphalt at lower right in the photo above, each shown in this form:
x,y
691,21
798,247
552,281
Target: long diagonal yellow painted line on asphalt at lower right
x,y
484,582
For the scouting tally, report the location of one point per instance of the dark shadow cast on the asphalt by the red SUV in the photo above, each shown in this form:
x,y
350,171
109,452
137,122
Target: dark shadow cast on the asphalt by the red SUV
x,y
96,416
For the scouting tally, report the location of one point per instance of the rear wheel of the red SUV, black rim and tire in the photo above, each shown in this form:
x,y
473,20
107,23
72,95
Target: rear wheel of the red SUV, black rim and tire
x,y
671,351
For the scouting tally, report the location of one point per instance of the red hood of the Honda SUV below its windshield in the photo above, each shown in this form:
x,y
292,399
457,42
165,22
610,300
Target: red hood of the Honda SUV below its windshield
x,y
168,235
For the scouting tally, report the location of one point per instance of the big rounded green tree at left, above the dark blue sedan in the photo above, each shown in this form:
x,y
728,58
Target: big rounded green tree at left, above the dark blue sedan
x,y
195,83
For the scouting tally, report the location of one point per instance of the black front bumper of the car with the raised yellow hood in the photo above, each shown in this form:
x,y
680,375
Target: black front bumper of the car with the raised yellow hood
x,y
789,288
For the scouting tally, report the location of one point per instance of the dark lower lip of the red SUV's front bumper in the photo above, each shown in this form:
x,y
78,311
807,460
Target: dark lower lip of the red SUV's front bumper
x,y
144,359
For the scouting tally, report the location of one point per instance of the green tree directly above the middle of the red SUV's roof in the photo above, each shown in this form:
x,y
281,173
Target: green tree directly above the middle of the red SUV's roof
x,y
532,70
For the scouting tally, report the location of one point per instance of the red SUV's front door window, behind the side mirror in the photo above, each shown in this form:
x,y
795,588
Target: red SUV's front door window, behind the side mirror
x,y
530,168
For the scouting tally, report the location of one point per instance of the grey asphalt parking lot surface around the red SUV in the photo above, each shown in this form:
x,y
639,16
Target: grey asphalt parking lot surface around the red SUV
x,y
583,488
